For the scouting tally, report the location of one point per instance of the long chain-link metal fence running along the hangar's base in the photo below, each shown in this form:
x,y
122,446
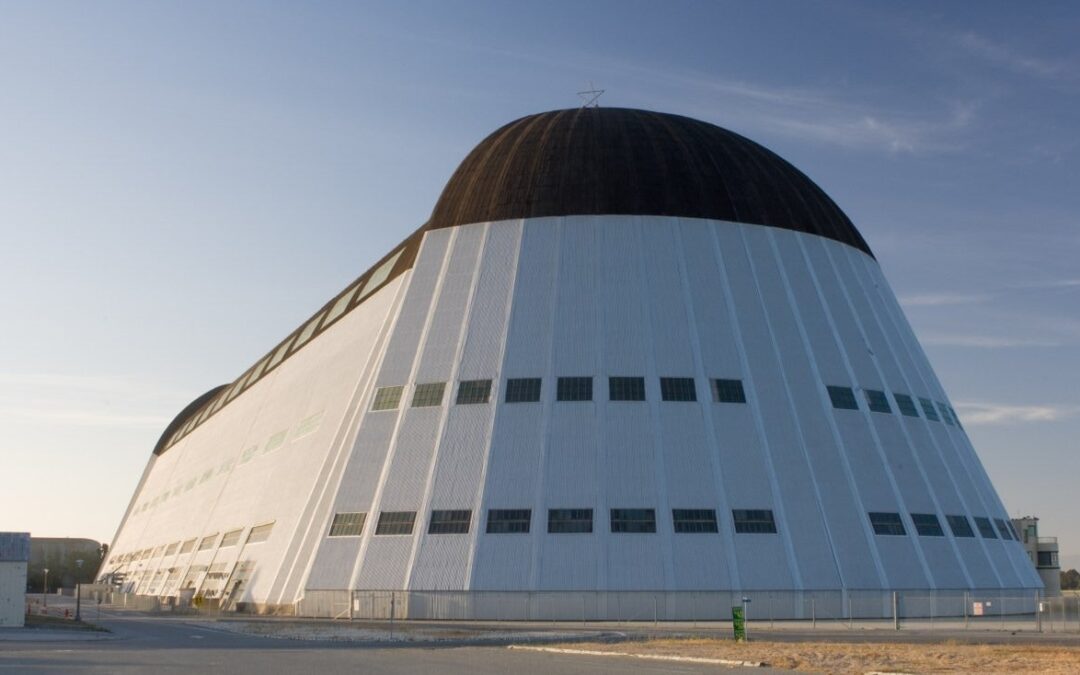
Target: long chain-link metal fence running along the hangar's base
x,y
935,611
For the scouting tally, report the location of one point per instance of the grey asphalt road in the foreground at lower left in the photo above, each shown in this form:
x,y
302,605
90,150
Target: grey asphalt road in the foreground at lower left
x,y
142,644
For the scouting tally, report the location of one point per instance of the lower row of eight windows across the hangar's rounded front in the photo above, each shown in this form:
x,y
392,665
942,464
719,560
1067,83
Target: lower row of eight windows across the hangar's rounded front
x,y
560,521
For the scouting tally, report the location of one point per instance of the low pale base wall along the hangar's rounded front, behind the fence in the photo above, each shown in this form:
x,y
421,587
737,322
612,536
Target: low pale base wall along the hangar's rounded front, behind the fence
x,y
661,605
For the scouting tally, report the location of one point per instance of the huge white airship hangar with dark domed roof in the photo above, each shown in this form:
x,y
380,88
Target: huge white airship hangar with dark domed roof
x,y
633,363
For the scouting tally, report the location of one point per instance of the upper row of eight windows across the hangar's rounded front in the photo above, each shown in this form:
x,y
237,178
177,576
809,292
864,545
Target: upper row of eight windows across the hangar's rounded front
x,y
571,389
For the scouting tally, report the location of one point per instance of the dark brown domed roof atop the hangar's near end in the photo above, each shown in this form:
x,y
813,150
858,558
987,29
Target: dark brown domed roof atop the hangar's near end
x,y
619,161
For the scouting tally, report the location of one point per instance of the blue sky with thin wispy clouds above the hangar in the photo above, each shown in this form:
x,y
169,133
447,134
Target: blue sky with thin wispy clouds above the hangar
x,y
182,184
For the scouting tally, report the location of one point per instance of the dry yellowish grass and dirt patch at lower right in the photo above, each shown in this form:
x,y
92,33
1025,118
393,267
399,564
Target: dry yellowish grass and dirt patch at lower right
x,y
838,657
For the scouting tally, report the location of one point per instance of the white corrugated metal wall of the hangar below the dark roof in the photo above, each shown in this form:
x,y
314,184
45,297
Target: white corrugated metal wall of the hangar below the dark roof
x,y
642,296
